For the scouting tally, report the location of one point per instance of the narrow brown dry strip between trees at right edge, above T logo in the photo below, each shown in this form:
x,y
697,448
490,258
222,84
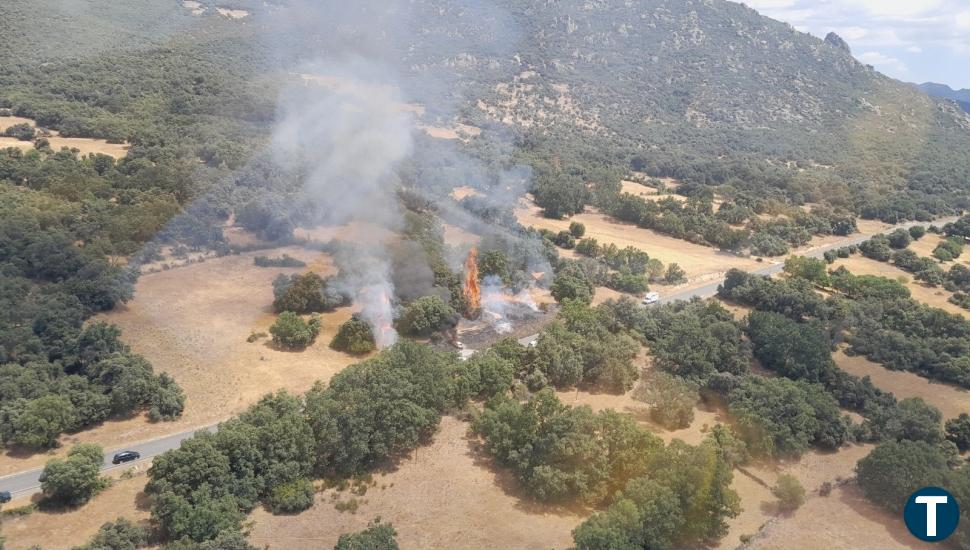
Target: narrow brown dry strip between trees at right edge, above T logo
x,y
951,400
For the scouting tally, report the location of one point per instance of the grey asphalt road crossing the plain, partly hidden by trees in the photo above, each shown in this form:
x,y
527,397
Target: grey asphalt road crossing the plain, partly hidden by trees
x,y
28,482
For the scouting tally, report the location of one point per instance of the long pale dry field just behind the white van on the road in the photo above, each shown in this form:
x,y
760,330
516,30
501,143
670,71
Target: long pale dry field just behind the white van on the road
x,y
700,262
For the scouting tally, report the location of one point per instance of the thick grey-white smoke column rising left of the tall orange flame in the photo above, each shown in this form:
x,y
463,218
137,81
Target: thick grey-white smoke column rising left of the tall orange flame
x,y
348,140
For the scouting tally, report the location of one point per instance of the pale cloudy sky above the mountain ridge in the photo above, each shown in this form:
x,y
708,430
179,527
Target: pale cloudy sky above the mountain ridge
x,y
911,40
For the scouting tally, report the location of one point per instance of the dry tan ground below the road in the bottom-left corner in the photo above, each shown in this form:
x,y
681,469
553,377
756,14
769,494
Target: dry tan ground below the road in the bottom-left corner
x,y
66,529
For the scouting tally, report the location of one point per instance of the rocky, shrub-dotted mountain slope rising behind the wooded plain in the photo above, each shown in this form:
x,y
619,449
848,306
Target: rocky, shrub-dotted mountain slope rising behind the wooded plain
x,y
707,91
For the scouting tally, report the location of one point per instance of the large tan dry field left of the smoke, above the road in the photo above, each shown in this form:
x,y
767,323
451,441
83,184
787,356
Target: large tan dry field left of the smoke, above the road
x,y
192,322
